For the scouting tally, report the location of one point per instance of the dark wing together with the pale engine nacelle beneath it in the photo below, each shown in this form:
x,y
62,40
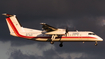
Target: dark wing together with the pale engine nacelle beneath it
x,y
52,30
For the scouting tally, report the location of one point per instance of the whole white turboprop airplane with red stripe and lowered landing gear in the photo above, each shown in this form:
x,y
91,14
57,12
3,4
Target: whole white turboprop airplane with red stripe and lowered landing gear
x,y
50,34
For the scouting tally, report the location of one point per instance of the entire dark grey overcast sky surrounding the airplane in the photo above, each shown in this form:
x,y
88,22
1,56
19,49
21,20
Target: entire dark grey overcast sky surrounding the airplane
x,y
87,15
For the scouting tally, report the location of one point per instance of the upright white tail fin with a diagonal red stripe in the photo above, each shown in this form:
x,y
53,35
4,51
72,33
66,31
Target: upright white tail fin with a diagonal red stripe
x,y
13,24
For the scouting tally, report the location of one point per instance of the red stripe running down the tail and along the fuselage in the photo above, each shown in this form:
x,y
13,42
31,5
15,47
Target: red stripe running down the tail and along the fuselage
x,y
30,37
